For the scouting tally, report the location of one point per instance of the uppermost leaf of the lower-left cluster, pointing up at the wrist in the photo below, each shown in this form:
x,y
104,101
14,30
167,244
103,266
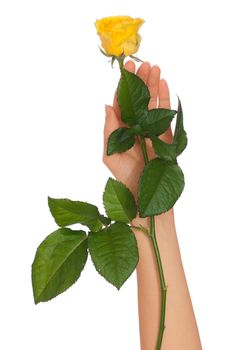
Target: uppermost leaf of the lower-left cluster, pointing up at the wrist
x,y
119,202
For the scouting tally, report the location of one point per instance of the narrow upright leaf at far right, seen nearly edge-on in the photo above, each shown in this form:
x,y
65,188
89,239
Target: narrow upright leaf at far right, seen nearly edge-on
x,y
180,136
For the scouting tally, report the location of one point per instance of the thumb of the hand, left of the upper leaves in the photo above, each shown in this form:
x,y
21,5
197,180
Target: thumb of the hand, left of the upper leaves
x,y
111,123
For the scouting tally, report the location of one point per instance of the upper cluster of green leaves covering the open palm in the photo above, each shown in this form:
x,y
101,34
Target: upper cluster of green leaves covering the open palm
x,y
162,180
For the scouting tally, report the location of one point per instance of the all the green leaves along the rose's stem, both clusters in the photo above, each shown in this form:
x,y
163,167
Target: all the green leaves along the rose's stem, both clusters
x,y
61,257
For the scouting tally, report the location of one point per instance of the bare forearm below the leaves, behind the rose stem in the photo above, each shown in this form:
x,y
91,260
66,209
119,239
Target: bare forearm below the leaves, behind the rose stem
x,y
181,331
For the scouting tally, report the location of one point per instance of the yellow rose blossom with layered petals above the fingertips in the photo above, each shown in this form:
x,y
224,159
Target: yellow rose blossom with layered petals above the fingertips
x,y
119,34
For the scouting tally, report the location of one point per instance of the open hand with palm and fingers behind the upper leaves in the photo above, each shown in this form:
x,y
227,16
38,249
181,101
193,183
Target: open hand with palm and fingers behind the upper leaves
x,y
127,166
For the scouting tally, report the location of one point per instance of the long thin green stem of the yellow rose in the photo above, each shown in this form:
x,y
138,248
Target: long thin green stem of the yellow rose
x,y
163,286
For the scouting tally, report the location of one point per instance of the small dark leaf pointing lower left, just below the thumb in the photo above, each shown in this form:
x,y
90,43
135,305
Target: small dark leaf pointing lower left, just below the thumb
x,y
120,141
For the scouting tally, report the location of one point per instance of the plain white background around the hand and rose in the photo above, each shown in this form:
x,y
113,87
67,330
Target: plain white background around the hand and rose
x,y
53,86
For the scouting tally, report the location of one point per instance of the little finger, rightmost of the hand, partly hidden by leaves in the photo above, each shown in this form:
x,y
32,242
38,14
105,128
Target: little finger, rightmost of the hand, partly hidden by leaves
x,y
164,102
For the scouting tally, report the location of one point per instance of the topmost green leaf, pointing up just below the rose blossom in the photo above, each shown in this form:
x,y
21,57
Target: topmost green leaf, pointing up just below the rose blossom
x,y
133,97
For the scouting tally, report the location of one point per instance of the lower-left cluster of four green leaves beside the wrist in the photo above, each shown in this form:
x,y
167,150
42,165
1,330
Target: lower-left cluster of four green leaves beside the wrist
x,y
61,257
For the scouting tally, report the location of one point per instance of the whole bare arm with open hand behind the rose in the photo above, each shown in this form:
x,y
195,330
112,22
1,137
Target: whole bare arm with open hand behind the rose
x,y
181,331
